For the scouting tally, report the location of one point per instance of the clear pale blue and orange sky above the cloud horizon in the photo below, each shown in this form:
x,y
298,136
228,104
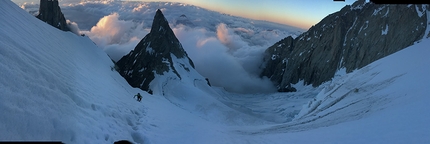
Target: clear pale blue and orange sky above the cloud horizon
x,y
299,13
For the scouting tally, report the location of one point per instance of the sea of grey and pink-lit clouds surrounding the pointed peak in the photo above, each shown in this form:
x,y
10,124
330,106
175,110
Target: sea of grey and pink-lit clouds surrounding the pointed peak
x,y
226,49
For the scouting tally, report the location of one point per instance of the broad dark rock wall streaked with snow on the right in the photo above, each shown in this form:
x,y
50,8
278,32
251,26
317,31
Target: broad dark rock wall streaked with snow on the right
x,y
351,38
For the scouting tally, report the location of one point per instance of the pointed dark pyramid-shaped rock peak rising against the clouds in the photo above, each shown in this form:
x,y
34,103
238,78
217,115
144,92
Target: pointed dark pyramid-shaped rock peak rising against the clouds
x,y
154,55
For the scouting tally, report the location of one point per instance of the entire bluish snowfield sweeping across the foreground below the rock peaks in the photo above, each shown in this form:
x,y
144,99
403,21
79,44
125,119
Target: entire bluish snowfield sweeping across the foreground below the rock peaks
x,y
59,86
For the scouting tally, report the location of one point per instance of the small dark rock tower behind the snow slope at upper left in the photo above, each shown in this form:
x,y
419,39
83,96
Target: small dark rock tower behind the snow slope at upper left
x,y
50,13
